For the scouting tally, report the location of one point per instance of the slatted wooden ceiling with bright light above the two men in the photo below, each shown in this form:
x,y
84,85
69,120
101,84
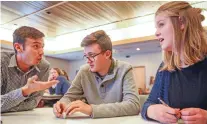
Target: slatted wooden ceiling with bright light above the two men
x,y
56,18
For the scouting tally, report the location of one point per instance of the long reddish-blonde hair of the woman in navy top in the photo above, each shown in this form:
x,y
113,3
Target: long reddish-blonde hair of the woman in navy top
x,y
190,44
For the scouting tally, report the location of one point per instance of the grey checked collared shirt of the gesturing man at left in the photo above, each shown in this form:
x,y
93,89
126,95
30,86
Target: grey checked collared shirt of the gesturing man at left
x,y
13,79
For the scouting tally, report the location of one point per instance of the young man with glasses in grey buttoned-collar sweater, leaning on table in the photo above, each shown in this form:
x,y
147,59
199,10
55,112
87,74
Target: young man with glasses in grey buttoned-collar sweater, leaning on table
x,y
104,87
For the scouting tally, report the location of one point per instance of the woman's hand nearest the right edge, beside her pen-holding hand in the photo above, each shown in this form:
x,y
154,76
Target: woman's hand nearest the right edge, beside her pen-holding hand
x,y
194,116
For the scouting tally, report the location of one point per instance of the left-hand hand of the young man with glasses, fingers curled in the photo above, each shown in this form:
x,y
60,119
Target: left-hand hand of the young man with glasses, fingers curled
x,y
58,109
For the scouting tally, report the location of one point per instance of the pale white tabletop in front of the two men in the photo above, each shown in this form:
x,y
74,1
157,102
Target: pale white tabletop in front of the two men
x,y
46,116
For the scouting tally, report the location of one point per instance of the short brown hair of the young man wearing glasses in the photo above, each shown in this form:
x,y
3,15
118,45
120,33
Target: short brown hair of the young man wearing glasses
x,y
99,37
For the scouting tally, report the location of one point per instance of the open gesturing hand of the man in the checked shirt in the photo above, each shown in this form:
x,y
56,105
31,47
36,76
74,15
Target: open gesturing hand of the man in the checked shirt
x,y
33,85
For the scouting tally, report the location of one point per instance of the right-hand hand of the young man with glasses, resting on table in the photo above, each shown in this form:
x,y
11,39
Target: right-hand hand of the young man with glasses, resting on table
x,y
78,106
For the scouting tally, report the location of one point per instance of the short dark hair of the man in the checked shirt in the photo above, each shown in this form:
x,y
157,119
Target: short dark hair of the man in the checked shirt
x,y
21,33
